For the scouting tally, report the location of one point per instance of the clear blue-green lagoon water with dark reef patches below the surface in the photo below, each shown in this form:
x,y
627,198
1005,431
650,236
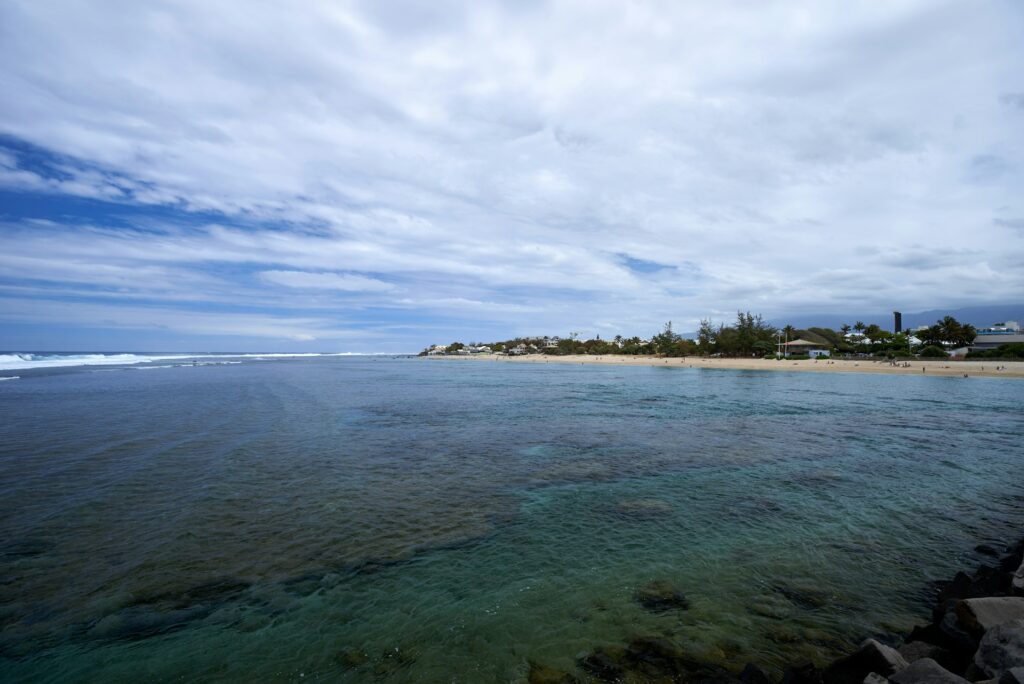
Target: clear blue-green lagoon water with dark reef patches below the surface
x,y
400,521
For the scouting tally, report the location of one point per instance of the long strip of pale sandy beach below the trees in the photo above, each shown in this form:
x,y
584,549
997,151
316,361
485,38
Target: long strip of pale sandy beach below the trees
x,y
951,368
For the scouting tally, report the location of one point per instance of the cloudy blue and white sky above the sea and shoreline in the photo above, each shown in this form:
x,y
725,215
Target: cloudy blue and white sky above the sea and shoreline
x,y
380,177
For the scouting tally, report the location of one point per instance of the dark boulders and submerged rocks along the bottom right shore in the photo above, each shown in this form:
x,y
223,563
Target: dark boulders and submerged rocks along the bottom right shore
x,y
976,636
